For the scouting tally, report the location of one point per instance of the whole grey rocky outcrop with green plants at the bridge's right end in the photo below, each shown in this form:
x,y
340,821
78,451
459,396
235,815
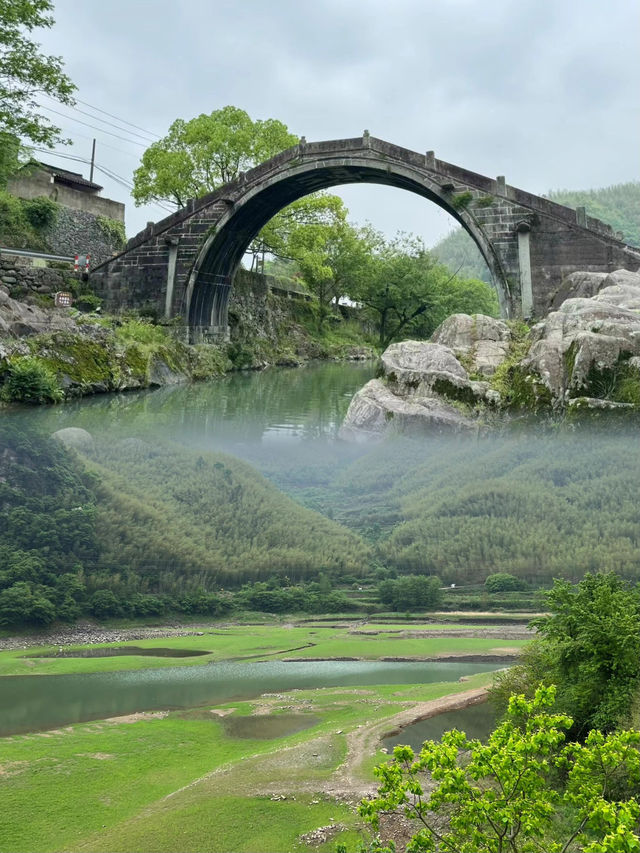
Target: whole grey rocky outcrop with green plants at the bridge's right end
x,y
584,357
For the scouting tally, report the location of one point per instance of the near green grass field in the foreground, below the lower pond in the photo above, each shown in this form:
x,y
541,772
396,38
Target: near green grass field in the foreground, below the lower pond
x,y
179,782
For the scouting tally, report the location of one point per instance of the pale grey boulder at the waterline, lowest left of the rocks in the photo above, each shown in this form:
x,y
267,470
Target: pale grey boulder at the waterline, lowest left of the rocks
x,y
376,411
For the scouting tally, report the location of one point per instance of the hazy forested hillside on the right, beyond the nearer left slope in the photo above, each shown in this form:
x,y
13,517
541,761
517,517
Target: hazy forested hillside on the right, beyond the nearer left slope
x,y
538,507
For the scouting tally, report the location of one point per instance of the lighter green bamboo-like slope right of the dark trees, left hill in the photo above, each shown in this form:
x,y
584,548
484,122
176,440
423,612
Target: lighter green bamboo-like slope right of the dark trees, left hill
x,y
207,519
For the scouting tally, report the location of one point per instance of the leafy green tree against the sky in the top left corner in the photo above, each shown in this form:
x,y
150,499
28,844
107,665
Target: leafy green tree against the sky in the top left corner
x,y
26,73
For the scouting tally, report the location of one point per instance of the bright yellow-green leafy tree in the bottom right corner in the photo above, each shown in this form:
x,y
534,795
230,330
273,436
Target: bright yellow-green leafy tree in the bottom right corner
x,y
505,796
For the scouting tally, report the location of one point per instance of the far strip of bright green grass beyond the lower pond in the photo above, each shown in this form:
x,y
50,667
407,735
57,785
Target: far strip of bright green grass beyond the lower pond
x,y
259,642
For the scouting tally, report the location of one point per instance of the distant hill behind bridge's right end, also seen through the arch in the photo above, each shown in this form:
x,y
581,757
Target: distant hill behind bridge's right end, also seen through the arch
x,y
618,206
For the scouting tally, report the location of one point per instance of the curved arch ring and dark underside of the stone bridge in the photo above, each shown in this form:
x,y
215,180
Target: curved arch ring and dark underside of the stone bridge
x,y
292,175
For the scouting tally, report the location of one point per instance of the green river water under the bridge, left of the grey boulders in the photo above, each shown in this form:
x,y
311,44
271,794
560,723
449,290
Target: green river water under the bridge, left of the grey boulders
x,y
234,413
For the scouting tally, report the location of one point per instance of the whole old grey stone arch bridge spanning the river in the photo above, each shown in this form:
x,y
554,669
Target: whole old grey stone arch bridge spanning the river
x,y
184,264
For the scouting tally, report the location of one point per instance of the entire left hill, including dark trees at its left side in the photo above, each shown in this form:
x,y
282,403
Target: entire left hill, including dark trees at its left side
x,y
132,521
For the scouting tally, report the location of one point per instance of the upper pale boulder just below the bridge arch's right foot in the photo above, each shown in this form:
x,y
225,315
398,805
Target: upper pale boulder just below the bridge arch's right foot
x,y
481,341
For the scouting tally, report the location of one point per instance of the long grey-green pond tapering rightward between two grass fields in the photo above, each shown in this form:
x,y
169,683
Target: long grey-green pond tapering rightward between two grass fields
x,y
39,702
